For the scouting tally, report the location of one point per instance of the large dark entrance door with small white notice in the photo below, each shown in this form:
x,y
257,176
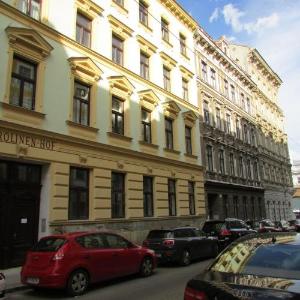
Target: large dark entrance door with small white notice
x,y
20,186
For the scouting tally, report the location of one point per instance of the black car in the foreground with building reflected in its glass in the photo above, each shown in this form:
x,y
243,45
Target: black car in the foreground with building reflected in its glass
x,y
256,266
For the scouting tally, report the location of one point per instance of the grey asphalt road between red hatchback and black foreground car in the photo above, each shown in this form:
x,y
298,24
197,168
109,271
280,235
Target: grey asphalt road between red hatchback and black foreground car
x,y
167,283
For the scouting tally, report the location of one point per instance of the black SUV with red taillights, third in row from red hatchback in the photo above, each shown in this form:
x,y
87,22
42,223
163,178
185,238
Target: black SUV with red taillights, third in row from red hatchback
x,y
226,230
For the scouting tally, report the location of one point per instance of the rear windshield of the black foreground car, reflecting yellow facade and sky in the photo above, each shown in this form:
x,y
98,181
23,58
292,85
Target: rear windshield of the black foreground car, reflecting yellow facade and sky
x,y
260,256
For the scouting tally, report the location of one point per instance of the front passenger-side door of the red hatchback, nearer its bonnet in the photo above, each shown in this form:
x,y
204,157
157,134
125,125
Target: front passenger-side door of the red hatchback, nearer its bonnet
x,y
126,256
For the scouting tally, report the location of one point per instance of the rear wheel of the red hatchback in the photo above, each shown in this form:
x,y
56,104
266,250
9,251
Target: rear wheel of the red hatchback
x,y
77,283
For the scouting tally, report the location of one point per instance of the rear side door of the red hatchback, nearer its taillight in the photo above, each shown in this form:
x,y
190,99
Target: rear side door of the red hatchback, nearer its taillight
x,y
98,256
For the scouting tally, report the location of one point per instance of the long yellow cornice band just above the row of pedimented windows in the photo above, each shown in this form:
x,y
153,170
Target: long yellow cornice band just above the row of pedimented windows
x,y
58,37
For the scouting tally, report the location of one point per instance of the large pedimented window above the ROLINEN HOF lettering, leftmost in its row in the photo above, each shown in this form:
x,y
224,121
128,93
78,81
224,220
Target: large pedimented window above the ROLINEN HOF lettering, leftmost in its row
x,y
23,83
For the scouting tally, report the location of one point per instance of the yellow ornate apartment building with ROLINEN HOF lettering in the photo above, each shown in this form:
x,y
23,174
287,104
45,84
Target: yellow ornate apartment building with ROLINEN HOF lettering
x,y
98,119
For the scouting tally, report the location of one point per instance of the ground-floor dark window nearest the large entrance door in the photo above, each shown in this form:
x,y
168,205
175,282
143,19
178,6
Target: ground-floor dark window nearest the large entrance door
x,y
79,194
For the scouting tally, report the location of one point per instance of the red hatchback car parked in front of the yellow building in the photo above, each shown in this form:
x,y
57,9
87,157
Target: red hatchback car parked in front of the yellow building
x,y
74,260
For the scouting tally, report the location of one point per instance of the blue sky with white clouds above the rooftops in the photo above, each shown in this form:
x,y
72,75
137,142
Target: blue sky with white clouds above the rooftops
x,y
273,28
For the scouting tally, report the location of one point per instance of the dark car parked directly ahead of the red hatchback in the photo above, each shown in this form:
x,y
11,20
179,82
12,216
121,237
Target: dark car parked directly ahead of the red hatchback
x,y
181,245
